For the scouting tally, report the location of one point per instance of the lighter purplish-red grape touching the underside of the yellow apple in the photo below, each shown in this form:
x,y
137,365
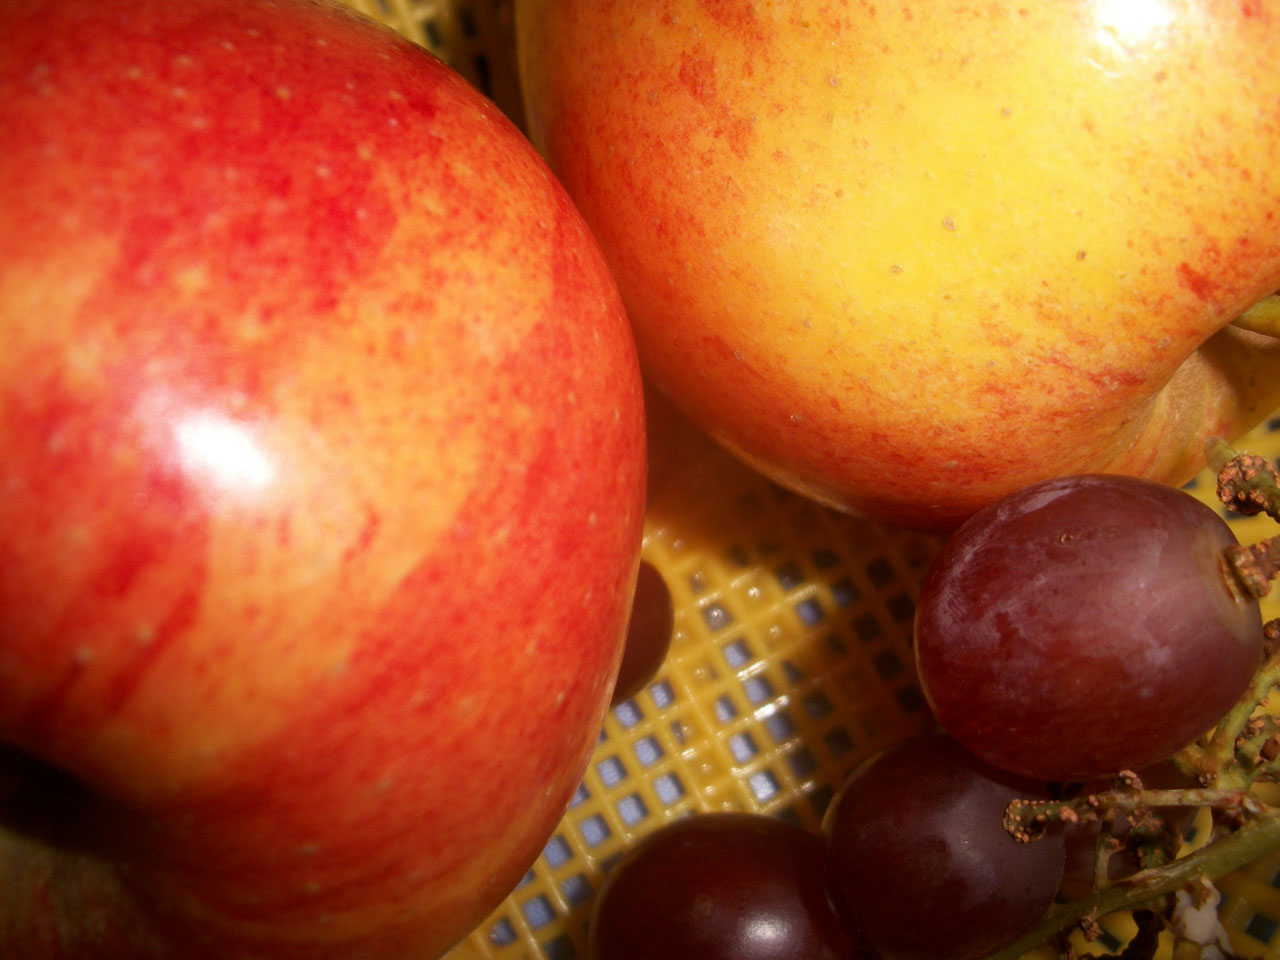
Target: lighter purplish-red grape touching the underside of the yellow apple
x,y
1085,625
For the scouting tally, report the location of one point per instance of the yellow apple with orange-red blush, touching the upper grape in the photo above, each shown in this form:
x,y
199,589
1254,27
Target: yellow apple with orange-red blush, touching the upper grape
x,y
908,260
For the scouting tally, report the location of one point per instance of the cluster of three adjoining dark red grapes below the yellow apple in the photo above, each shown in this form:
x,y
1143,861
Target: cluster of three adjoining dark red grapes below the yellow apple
x,y
1081,629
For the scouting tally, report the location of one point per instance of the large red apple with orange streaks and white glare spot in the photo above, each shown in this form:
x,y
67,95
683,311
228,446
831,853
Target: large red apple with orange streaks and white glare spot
x,y
322,455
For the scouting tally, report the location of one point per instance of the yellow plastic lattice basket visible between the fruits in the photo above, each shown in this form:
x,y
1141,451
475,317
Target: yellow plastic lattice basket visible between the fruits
x,y
792,659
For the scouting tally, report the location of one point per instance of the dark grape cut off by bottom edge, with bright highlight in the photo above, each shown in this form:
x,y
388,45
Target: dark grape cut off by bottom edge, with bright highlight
x,y
726,886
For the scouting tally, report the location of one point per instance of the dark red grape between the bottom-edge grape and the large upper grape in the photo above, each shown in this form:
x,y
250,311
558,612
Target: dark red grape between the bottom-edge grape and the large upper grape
x,y
921,866
